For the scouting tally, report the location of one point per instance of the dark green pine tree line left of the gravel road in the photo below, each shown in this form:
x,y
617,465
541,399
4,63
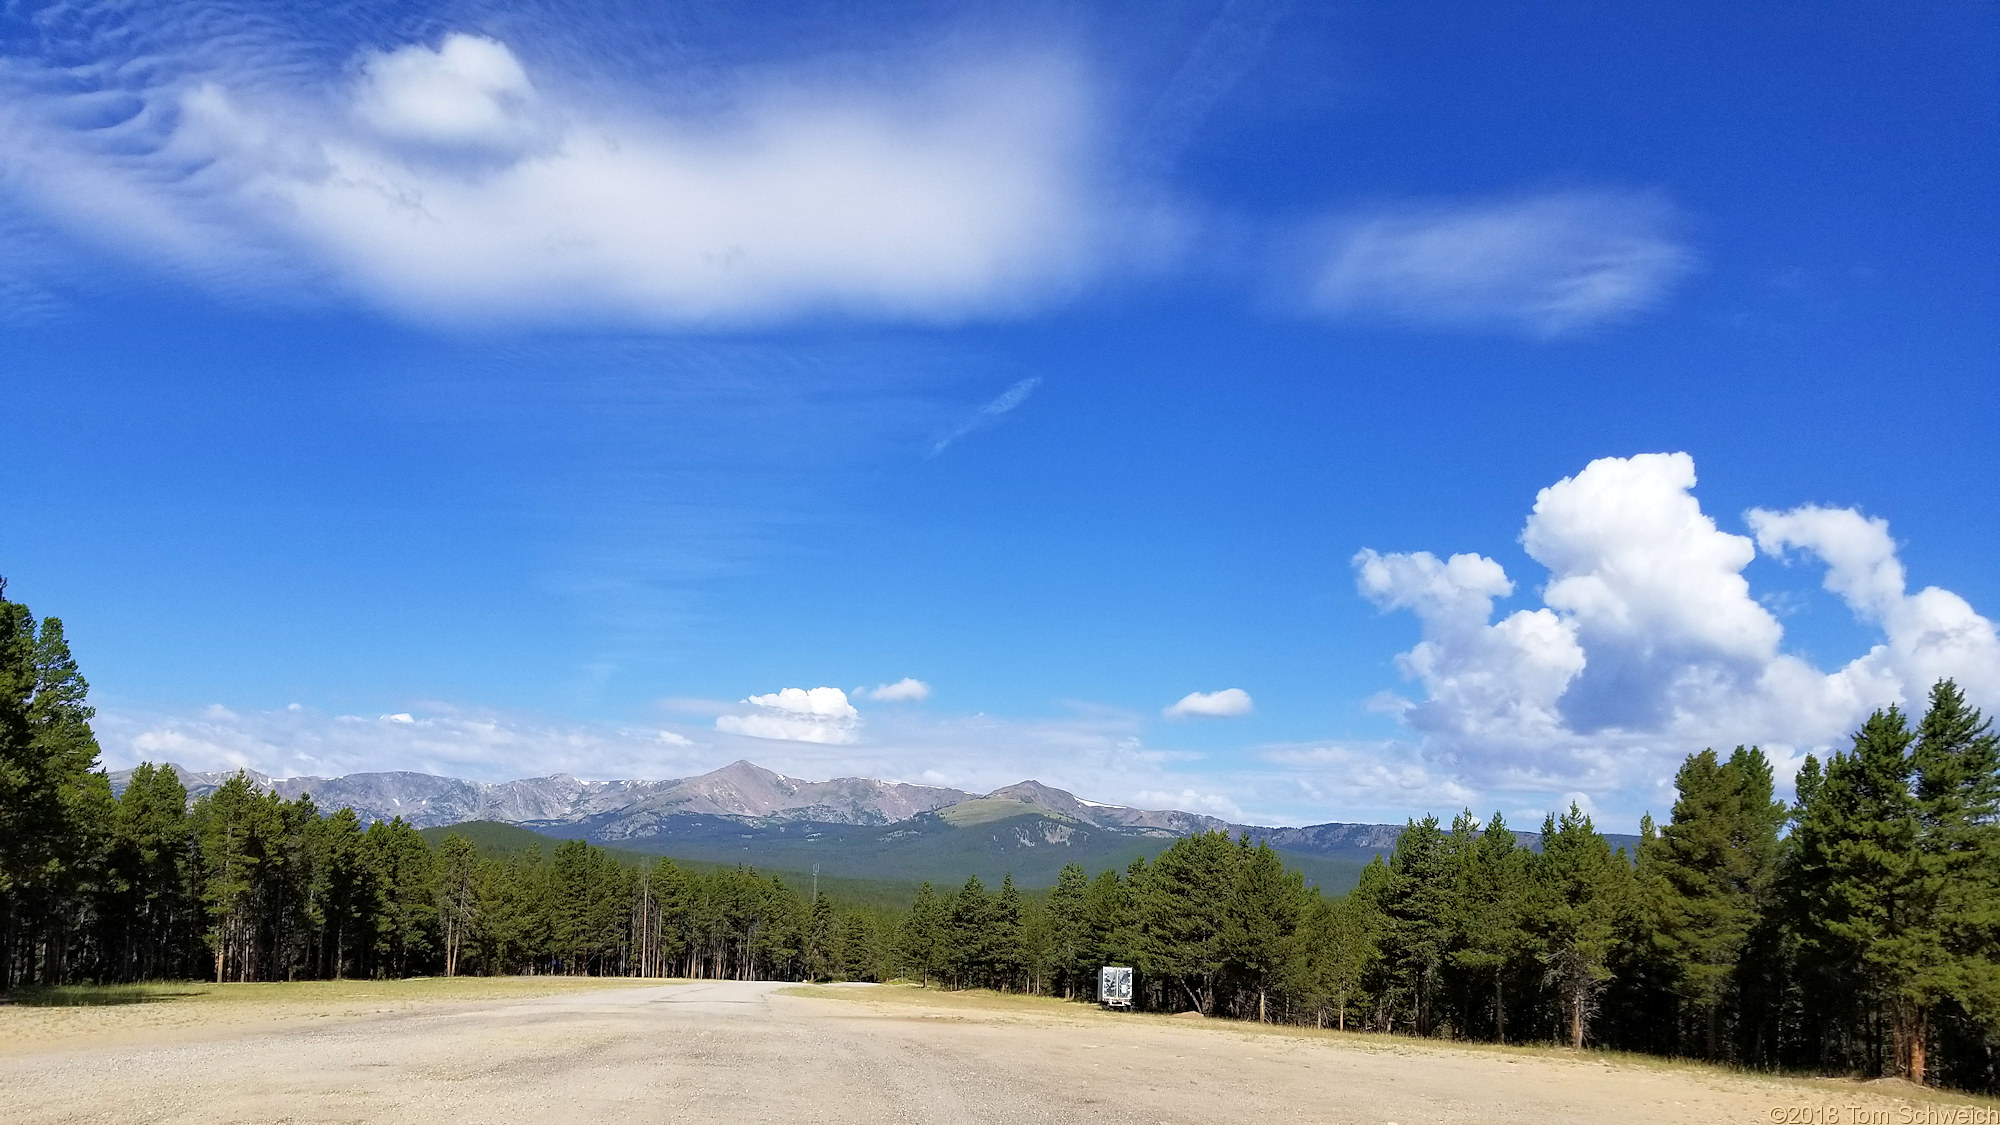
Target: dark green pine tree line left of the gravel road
x,y
243,886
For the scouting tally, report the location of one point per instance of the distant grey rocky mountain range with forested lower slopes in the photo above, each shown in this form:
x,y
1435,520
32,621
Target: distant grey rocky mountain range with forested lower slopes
x,y
861,828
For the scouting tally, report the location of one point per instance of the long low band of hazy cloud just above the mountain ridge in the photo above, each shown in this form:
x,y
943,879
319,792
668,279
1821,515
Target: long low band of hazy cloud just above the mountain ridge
x,y
1095,754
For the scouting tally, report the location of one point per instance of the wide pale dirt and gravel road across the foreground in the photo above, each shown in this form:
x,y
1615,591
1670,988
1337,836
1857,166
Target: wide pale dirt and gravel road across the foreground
x,y
749,1052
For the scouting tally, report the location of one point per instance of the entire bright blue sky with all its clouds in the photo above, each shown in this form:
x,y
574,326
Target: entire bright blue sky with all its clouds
x,y
1283,411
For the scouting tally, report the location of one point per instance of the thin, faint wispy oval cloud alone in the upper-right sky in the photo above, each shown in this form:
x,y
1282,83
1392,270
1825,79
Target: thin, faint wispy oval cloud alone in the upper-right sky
x,y
1545,265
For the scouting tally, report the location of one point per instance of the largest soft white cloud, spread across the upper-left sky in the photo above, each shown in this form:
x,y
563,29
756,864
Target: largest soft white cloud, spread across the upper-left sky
x,y
453,183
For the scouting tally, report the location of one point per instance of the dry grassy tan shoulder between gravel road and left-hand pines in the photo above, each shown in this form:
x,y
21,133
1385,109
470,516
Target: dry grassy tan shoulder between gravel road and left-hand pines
x,y
189,1010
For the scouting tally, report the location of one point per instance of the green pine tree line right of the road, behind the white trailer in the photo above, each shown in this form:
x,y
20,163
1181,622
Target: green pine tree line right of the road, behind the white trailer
x,y
1853,932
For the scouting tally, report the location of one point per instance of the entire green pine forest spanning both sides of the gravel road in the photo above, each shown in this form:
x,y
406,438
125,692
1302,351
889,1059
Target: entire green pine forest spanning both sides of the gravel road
x,y
1855,932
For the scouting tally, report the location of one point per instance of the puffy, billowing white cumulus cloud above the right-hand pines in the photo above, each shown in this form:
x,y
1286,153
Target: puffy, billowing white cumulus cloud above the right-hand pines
x,y
1649,644
